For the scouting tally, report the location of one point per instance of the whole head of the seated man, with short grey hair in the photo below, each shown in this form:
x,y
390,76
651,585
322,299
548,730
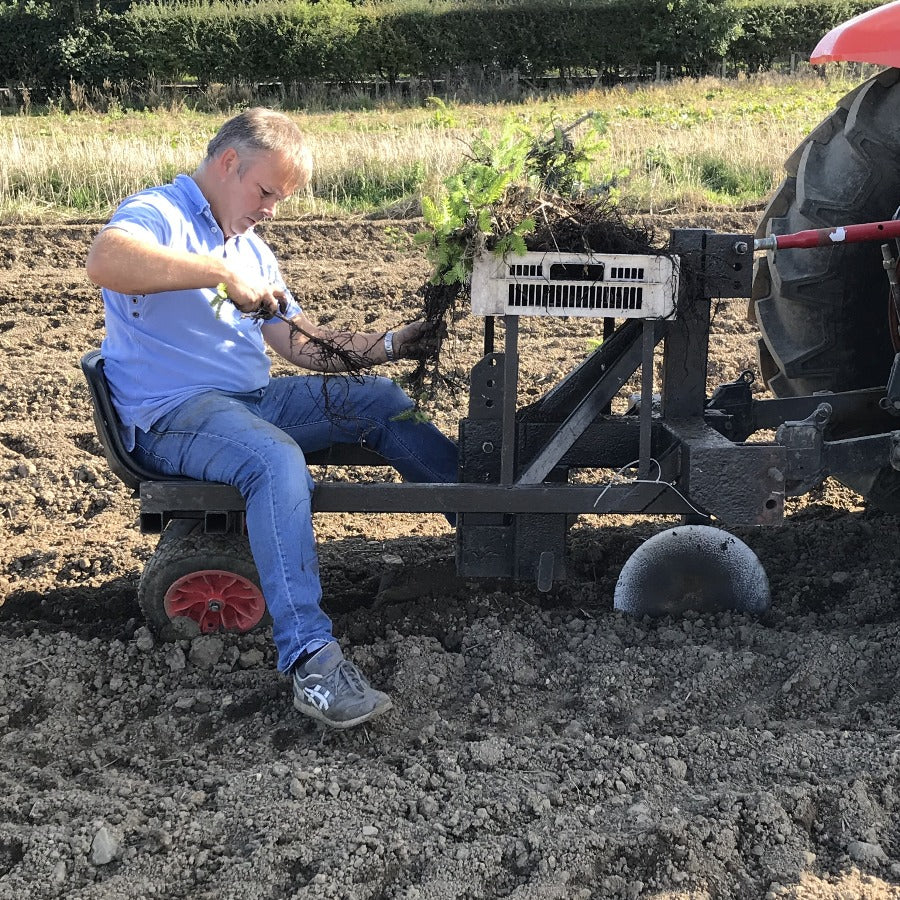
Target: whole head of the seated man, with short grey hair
x,y
255,160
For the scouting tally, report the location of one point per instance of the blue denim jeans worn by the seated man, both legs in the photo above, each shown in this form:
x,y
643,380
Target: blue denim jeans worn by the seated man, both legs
x,y
255,441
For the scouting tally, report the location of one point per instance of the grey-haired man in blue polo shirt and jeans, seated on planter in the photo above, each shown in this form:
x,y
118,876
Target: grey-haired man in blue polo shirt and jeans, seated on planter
x,y
190,379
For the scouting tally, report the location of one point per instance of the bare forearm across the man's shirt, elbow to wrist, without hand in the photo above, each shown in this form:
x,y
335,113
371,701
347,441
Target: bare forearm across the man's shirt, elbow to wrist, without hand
x,y
128,265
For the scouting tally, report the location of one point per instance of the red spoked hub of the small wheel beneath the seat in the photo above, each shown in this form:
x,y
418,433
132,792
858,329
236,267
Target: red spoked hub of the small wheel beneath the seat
x,y
216,600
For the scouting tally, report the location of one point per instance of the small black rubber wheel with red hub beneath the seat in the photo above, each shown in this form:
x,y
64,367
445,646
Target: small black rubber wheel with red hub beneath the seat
x,y
197,583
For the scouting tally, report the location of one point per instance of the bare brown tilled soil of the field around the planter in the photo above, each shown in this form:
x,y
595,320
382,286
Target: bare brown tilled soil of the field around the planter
x,y
541,746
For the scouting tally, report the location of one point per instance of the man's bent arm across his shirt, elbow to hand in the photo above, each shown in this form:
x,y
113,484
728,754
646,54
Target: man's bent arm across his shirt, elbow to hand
x,y
127,264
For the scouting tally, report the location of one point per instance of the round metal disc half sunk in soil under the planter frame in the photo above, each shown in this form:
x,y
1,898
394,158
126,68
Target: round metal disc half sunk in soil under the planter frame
x,y
692,567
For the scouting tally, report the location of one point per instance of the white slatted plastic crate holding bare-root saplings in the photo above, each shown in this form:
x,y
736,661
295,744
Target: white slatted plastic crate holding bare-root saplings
x,y
574,284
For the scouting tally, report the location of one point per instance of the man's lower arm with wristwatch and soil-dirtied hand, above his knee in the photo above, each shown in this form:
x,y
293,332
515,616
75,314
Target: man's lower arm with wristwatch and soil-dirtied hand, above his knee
x,y
296,342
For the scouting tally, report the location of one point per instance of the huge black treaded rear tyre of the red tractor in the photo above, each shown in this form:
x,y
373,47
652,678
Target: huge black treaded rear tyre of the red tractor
x,y
823,313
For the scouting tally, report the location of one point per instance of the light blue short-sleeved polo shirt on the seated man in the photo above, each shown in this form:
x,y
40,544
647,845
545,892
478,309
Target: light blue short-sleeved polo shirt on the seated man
x,y
162,348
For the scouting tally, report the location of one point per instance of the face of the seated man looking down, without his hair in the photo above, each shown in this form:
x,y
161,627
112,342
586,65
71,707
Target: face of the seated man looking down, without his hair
x,y
249,187
